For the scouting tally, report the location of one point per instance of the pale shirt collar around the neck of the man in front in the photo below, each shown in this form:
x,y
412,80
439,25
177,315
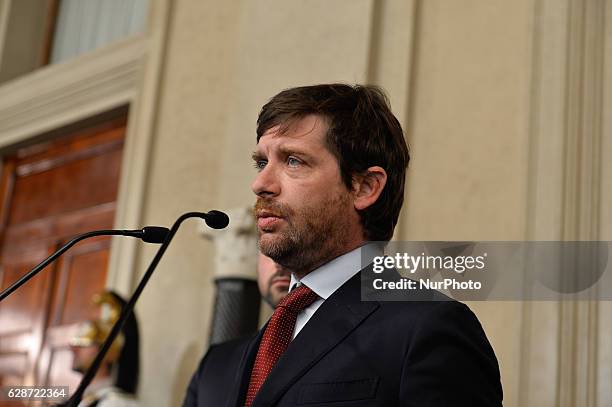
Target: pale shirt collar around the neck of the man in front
x,y
326,279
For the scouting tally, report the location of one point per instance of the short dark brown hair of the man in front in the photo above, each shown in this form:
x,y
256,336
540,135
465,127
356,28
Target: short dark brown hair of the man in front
x,y
363,132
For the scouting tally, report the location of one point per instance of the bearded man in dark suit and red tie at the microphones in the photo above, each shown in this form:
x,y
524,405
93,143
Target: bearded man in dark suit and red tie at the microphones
x,y
331,163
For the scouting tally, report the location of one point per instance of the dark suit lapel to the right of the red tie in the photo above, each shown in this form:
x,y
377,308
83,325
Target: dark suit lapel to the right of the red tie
x,y
338,316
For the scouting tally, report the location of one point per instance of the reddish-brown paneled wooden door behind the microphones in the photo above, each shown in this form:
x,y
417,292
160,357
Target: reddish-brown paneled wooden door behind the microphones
x,y
51,192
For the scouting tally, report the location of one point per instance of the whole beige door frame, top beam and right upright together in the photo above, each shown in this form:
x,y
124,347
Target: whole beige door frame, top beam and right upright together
x,y
126,73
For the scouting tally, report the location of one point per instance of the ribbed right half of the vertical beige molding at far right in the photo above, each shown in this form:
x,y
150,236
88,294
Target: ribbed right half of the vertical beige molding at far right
x,y
581,215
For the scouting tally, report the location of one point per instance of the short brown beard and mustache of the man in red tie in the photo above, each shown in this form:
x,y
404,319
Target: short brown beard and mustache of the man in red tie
x,y
309,236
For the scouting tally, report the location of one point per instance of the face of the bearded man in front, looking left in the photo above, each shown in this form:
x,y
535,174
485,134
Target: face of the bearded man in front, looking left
x,y
305,214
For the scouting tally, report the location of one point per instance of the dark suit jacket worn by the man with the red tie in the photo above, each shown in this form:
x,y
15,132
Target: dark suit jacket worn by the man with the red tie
x,y
358,353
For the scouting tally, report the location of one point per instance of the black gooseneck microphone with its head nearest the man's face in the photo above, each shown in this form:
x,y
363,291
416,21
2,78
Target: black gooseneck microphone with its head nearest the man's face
x,y
127,310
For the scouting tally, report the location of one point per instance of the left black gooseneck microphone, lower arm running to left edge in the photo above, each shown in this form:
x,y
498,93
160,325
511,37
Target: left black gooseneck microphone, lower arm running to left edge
x,y
149,234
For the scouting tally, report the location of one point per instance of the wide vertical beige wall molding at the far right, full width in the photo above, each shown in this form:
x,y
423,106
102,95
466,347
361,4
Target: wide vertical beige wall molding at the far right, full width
x,y
559,361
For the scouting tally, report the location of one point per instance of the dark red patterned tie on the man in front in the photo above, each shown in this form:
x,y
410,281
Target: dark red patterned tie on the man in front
x,y
277,336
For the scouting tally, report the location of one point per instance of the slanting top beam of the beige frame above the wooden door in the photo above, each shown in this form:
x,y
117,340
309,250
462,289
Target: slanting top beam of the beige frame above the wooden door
x,y
64,93
